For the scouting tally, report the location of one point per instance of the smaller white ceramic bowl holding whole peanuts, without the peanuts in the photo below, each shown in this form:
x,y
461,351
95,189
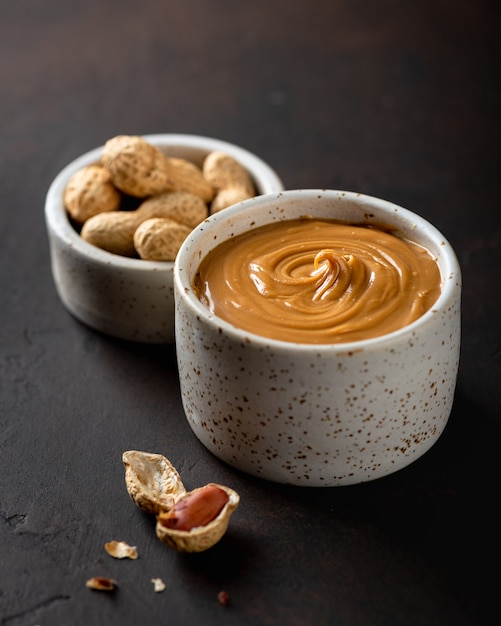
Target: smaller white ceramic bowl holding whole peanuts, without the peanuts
x,y
127,298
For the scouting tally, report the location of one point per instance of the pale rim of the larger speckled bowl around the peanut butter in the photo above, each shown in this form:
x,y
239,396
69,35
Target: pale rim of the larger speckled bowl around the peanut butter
x,y
450,273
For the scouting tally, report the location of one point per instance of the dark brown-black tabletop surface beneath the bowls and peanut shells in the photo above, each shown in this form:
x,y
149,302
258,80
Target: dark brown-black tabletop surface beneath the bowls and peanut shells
x,y
394,99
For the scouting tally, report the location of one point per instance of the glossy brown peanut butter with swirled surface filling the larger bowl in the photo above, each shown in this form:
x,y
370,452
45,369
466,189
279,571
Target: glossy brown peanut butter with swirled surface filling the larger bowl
x,y
318,281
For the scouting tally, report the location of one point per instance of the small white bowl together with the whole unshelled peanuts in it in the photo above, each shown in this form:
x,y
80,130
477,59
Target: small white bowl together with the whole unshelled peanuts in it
x,y
117,215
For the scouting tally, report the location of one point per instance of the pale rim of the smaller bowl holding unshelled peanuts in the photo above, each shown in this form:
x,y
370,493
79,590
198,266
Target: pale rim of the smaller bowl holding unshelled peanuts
x,y
58,223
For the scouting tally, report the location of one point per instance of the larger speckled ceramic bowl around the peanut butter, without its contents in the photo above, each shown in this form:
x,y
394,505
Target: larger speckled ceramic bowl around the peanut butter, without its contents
x,y
316,415
